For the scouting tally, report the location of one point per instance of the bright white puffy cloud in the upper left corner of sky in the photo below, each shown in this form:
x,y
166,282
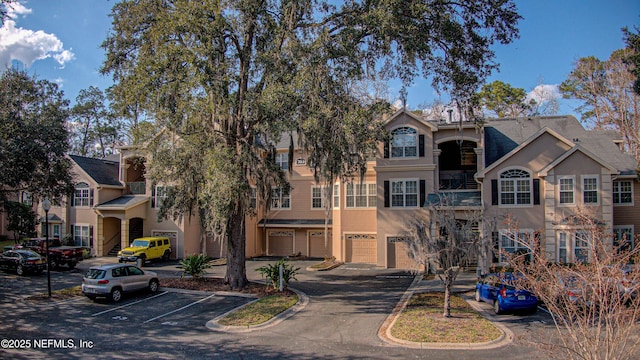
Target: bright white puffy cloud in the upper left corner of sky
x,y
26,45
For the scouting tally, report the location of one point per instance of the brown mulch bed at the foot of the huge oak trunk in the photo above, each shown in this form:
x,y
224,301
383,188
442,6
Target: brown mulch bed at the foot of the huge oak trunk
x,y
217,284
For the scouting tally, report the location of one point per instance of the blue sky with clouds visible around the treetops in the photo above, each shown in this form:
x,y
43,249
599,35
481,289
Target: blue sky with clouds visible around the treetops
x,y
59,40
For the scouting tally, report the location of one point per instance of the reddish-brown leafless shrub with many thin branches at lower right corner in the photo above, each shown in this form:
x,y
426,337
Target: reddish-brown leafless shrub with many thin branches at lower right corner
x,y
593,301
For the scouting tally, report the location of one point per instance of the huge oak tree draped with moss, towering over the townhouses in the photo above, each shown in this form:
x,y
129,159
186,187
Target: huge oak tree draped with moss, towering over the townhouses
x,y
231,77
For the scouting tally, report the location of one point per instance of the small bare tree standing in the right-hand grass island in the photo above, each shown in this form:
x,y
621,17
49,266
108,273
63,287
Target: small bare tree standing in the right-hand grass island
x,y
449,238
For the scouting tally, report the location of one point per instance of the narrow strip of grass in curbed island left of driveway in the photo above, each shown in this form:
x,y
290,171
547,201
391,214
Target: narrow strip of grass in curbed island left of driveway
x,y
260,311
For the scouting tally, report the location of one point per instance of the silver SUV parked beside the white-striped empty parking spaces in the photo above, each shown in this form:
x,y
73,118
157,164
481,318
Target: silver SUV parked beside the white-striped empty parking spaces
x,y
112,280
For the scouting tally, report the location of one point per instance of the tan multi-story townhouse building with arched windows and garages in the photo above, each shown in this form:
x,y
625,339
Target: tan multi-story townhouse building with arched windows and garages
x,y
538,170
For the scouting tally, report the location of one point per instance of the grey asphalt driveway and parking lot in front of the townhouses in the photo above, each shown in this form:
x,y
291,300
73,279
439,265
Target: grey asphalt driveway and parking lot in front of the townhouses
x,y
347,305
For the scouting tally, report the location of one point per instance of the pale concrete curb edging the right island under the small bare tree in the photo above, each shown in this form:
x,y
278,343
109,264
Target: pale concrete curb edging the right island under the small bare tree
x,y
384,332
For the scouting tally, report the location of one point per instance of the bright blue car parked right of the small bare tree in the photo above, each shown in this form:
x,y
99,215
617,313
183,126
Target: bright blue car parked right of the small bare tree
x,y
499,291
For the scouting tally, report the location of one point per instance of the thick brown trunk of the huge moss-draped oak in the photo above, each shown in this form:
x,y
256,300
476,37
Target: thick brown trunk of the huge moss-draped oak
x,y
236,272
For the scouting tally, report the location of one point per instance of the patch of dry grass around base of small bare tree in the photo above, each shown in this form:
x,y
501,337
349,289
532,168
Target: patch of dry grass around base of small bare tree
x,y
422,321
